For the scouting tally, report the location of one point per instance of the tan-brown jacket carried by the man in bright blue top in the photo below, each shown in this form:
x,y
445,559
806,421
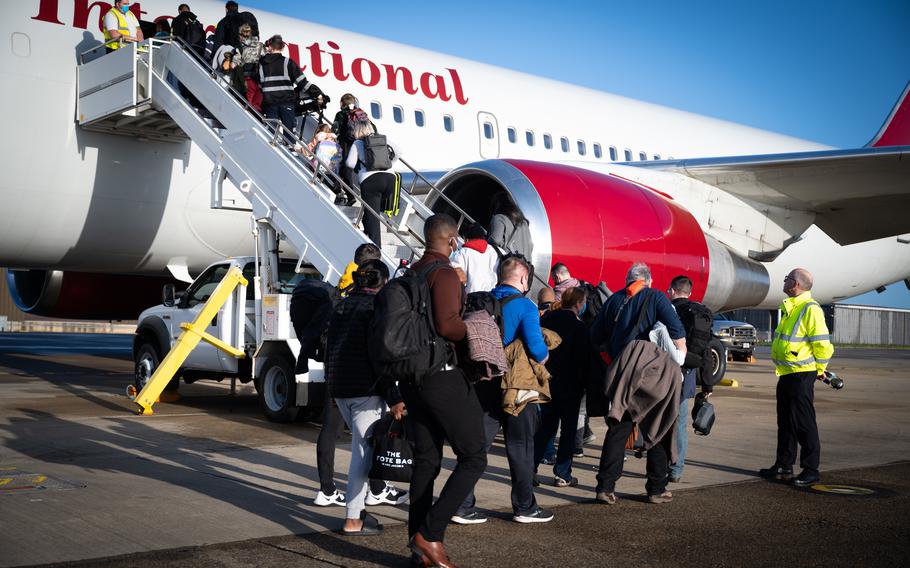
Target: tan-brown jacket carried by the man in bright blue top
x,y
527,380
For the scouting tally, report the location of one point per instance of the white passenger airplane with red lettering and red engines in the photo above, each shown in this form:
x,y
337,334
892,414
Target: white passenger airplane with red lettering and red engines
x,y
94,222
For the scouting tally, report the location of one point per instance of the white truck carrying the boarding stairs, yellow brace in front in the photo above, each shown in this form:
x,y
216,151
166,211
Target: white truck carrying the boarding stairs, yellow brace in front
x,y
262,329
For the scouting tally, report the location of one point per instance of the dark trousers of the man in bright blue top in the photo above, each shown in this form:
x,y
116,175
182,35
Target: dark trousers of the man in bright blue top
x,y
518,432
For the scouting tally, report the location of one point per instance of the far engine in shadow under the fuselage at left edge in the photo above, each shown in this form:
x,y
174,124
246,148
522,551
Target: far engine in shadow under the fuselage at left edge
x,y
82,295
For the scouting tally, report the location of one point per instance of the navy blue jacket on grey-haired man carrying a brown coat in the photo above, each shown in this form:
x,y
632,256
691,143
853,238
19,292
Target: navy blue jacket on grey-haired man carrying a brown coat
x,y
614,333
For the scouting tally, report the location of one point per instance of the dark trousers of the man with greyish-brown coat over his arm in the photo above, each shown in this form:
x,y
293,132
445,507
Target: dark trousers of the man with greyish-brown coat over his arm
x,y
614,450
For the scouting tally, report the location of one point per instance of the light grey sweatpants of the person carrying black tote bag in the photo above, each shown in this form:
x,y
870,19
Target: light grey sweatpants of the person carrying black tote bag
x,y
361,414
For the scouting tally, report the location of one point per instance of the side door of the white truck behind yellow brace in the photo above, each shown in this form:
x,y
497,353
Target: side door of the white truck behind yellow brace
x,y
205,356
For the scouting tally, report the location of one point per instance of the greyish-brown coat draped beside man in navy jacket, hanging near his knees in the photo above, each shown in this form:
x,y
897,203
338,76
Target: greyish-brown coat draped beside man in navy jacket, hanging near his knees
x,y
645,382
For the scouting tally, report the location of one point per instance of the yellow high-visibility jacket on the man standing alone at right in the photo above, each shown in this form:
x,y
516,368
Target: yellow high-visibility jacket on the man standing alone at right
x,y
801,341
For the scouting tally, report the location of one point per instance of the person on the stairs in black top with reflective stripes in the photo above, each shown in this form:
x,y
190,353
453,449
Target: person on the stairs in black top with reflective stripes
x,y
281,80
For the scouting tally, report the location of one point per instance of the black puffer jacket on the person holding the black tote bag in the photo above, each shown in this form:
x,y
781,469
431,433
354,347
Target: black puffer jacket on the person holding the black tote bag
x,y
348,370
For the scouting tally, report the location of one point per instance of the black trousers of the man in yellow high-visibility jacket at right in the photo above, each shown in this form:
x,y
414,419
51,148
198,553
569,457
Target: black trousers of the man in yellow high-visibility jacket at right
x,y
796,421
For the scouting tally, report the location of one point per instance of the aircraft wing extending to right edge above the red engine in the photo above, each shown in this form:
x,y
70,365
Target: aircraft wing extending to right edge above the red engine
x,y
856,195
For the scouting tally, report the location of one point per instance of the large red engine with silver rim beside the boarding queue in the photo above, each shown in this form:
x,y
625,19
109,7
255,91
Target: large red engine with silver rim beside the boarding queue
x,y
598,225
